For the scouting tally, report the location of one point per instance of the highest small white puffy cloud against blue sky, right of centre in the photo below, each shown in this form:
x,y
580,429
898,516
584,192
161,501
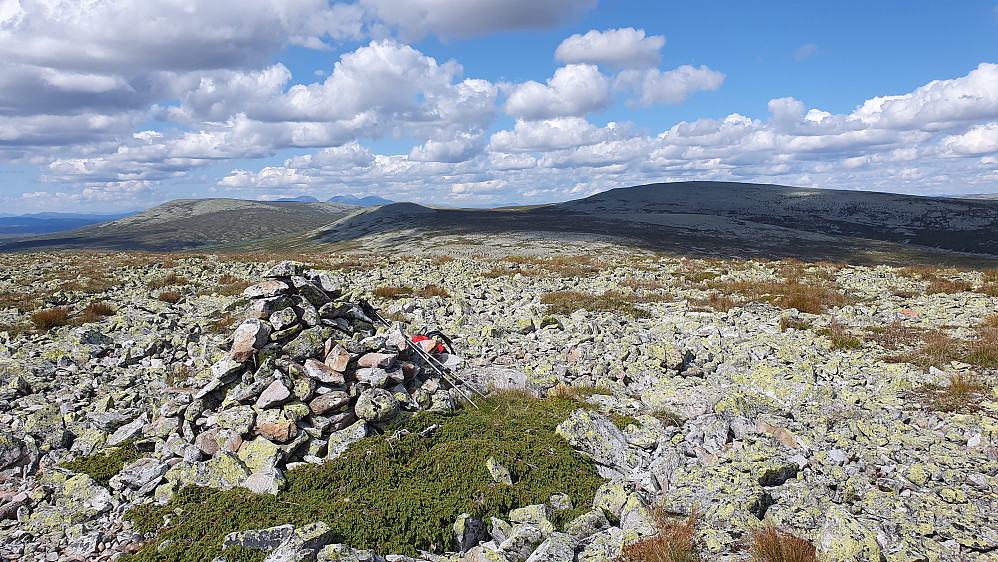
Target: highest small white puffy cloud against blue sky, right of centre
x,y
614,48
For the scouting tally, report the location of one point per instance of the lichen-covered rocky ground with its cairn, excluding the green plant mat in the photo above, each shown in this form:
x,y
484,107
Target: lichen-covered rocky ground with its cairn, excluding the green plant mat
x,y
854,406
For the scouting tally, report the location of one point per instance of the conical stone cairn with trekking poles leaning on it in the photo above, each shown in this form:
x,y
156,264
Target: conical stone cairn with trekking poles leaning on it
x,y
306,375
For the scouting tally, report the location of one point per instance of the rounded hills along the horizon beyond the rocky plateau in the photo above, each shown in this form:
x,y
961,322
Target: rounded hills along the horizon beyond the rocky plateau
x,y
689,218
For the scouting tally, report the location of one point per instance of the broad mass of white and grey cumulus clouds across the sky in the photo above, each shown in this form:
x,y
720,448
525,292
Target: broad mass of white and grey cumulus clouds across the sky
x,y
79,89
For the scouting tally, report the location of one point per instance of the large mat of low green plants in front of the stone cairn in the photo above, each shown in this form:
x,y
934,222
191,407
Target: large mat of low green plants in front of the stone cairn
x,y
396,495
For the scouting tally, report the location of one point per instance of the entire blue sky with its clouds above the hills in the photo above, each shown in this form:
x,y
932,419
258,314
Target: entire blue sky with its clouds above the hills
x,y
113,105
